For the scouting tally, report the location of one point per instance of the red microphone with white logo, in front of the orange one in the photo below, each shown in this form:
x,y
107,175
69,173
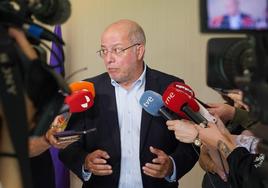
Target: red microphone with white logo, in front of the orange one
x,y
79,101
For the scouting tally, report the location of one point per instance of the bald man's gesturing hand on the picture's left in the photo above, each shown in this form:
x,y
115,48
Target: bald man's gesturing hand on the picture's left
x,y
96,163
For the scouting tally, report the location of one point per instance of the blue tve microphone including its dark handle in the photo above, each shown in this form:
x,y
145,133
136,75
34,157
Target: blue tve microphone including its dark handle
x,y
152,103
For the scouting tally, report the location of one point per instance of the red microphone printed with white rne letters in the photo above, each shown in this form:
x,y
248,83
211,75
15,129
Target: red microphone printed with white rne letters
x,y
182,103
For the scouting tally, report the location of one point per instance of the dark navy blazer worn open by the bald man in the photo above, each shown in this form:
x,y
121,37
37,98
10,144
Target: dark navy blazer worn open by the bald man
x,y
154,133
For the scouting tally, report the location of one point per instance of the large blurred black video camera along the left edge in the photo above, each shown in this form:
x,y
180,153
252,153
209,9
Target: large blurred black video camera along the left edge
x,y
20,77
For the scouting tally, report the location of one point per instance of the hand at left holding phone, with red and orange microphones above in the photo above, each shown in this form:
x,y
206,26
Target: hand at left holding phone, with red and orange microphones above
x,y
81,99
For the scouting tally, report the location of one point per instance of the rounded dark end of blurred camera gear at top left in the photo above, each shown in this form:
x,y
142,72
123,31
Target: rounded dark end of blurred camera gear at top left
x,y
51,12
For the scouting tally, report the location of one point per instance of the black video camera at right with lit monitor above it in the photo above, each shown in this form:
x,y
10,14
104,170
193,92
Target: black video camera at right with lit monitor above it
x,y
240,62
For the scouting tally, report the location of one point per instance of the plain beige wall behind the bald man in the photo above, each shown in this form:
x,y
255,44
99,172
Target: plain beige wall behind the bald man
x,y
174,43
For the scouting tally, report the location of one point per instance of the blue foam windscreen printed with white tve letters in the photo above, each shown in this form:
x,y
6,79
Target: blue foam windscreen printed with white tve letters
x,y
151,102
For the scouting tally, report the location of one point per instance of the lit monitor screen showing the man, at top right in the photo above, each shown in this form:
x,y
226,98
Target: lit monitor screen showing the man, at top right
x,y
234,16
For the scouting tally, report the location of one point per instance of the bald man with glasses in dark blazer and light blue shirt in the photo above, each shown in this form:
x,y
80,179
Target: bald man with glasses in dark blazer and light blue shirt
x,y
130,147
